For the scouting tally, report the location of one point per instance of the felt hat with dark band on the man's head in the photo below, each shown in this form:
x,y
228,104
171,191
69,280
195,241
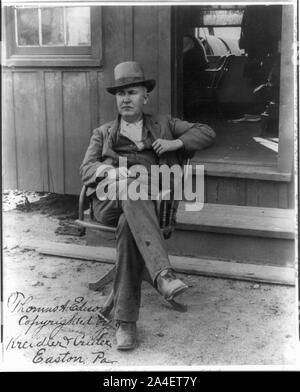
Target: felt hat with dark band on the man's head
x,y
130,73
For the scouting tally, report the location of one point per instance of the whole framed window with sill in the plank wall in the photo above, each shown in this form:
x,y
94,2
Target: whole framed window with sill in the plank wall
x,y
58,36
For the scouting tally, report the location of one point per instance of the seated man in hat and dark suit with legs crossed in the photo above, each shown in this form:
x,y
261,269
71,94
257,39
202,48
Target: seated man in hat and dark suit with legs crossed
x,y
143,140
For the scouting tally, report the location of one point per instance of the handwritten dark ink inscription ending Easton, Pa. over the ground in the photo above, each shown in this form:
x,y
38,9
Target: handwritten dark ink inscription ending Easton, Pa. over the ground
x,y
55,333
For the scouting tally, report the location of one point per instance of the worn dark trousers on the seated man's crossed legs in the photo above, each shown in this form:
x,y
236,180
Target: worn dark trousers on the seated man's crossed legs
x,y
140,245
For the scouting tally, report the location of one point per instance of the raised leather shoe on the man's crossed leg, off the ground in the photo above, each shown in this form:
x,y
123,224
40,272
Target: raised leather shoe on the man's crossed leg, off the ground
x,y
169,286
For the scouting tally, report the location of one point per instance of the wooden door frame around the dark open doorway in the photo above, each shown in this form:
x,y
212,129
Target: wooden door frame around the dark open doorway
x,y
284,169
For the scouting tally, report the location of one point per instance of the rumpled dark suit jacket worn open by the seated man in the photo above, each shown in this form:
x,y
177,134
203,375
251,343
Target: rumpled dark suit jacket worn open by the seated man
x,y
100,150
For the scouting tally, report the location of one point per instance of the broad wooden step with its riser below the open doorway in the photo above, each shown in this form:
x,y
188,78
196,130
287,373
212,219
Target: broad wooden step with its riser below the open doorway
x,y
253,235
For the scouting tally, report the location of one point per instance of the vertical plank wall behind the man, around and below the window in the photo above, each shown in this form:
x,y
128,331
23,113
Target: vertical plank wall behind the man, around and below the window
x,y
49,113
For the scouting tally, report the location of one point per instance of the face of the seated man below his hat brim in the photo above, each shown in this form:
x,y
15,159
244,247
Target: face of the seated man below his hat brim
x,y
130,102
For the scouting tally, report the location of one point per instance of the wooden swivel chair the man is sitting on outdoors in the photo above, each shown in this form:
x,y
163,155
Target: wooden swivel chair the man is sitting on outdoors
x,y
166,212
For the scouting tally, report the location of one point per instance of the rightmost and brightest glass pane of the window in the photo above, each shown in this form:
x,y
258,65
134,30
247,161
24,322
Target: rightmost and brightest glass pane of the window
x,y
78,26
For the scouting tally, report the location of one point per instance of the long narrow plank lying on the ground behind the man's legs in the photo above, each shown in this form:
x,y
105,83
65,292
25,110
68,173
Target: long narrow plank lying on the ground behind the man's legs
x,y
197,266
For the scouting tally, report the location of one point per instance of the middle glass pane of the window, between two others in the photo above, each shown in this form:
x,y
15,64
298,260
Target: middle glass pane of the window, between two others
x,y
52,26
